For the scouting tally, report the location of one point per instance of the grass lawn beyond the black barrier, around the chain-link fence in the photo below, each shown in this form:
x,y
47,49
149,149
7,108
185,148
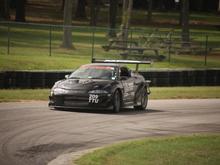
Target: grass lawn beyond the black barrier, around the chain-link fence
x,y
29,49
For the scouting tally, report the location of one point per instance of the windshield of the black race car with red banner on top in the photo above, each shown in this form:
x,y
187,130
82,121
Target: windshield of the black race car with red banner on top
x,y
94,72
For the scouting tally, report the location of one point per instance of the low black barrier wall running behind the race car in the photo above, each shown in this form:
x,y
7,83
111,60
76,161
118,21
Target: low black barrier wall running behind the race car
x,y
46,79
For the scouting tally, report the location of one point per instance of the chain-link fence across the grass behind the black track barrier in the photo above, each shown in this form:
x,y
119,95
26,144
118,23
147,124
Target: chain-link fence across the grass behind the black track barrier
x,y
157,44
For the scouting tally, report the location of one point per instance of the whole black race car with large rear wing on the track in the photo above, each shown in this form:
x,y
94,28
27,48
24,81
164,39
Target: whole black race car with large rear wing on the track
x,y
107,85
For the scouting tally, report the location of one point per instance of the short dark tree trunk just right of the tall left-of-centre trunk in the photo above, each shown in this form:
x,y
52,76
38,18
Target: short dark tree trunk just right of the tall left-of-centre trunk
x,y
80,9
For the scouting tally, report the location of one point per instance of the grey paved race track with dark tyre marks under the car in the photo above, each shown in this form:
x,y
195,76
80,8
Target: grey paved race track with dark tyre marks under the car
x,y
31,134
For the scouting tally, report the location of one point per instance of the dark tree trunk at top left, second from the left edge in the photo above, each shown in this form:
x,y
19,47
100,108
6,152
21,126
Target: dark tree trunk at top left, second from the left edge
x,y
20,10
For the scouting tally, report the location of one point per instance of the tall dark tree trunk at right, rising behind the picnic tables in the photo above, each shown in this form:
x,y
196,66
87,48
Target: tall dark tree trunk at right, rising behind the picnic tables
x,y
185,22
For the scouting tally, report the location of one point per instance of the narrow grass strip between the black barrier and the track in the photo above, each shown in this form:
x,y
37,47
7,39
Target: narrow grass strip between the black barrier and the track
x,y
7,95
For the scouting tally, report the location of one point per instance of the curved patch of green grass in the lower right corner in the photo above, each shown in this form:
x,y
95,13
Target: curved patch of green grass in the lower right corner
x,y
192,150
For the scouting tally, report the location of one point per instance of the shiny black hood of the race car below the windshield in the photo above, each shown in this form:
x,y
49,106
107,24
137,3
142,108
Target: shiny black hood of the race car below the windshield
x,y
83,84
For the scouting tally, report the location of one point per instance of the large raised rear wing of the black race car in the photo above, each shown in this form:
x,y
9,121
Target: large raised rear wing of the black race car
x,y
122,62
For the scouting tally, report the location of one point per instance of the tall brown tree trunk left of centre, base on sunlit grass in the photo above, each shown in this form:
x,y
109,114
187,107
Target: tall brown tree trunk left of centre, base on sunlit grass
x,y
67,31
